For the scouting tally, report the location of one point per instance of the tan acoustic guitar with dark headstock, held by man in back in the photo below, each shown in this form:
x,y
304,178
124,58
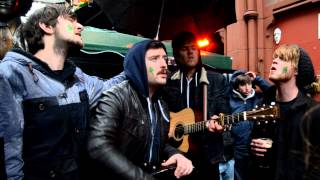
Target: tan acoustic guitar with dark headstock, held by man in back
x,y
183,123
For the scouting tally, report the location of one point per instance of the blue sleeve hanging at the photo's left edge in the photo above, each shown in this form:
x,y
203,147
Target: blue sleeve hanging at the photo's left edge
x,y
11,131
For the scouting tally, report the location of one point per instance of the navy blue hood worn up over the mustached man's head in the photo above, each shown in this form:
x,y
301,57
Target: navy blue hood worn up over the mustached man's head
x,y
135,67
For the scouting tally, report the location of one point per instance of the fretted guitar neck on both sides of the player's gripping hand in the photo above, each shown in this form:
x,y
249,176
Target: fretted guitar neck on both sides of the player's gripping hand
x,y
223,120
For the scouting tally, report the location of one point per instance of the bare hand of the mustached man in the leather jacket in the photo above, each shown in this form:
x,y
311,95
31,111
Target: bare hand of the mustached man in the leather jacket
x,y
183,165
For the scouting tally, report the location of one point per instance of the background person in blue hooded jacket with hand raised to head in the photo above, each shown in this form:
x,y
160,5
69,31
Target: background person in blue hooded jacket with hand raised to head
x,y
246,92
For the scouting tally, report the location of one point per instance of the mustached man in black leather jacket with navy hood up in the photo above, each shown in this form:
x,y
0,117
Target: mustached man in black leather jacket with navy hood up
x,y
130,129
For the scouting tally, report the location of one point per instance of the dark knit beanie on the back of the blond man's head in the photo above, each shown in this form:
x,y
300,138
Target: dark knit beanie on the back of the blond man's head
x,y
306,74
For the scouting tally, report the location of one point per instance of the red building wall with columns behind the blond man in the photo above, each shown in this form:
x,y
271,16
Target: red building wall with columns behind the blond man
x,y
250,41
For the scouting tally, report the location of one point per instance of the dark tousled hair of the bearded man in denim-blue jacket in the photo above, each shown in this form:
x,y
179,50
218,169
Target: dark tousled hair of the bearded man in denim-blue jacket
x,y
31,31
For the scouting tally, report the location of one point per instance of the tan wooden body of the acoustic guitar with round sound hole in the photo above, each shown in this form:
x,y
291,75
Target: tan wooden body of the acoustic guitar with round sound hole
x,y
176,130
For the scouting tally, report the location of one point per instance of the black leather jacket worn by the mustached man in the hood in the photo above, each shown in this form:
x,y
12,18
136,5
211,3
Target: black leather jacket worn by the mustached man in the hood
x,y
120,132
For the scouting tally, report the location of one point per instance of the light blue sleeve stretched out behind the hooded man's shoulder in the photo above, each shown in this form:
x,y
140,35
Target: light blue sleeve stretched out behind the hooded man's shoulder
x,y
95,85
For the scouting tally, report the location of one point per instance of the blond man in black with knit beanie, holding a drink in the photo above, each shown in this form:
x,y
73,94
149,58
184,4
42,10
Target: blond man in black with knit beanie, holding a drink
x,y
293,74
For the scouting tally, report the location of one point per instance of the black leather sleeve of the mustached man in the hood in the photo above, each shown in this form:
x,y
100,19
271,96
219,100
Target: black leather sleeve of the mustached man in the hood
x,y
103,139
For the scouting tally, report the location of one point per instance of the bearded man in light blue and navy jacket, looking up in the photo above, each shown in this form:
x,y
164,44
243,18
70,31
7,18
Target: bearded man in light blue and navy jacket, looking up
x,y
49,98
